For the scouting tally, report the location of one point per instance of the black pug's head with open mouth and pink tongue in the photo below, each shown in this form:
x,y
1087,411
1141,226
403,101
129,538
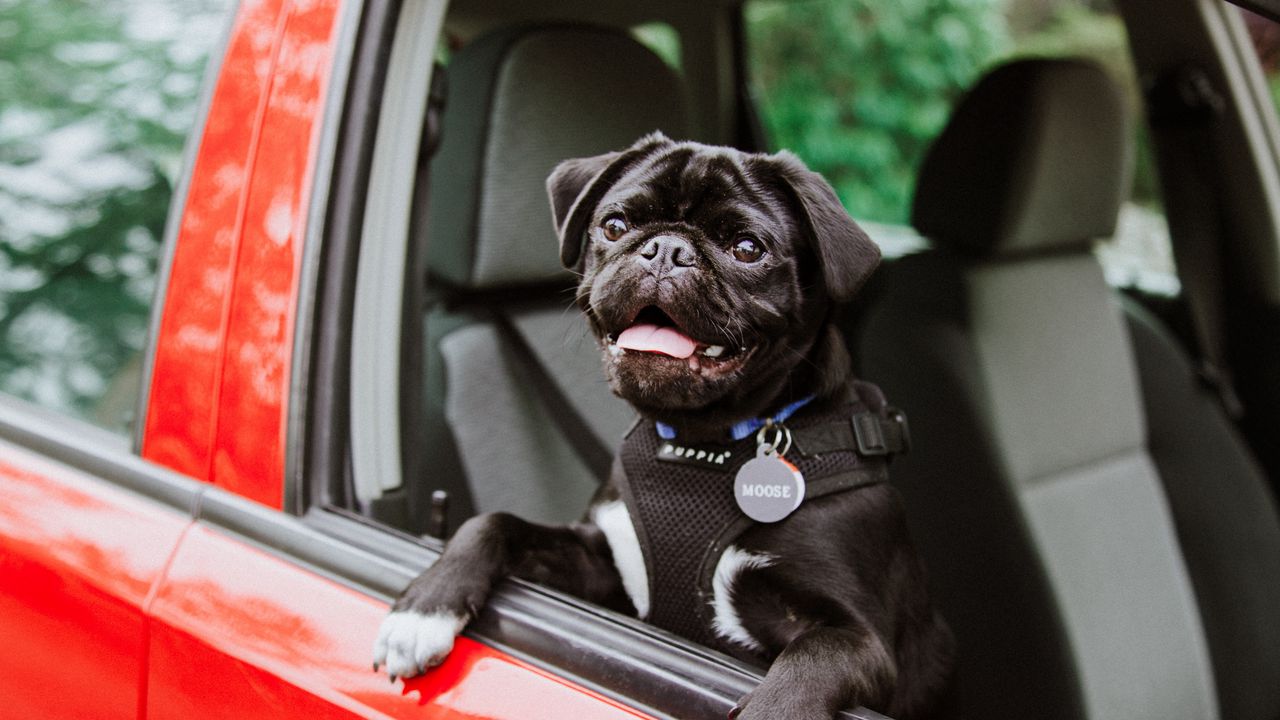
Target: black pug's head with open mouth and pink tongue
x,y
708,275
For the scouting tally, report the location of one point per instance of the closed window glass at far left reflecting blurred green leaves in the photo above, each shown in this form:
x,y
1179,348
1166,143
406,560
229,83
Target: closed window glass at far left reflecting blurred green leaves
x,y
98,99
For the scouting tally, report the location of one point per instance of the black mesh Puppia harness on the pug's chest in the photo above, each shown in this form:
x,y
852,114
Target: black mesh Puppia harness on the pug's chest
x,y
682,498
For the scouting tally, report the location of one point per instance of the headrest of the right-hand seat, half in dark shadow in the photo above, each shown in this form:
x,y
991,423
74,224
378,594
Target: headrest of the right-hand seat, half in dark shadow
x,y
1036,158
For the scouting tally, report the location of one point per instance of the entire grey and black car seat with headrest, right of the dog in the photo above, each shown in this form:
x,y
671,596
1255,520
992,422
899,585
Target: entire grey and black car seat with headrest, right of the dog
x,y
1096,534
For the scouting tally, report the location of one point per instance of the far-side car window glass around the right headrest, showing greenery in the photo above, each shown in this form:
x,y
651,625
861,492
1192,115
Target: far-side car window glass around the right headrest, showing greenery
x,y
860,89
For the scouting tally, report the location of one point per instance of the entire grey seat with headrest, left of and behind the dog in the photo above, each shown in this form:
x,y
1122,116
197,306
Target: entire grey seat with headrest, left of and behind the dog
x,y
520,102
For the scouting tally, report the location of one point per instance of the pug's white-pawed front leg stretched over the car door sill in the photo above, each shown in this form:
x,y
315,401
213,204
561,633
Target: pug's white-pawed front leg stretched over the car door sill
x,y
436,607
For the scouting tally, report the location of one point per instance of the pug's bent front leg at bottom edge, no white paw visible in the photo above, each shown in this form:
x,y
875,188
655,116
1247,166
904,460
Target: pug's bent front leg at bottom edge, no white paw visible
x,y
820,673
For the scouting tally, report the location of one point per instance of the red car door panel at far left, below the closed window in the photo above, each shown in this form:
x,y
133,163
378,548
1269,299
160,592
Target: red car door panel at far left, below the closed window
x,y
80,560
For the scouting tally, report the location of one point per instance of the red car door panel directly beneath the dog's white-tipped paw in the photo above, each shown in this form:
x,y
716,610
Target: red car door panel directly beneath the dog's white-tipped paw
x,y
243,630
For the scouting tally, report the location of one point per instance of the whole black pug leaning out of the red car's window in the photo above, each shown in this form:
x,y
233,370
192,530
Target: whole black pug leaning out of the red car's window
x,y
748,509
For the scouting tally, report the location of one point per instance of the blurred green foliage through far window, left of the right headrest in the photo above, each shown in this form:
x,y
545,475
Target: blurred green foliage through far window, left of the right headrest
x,y
860,88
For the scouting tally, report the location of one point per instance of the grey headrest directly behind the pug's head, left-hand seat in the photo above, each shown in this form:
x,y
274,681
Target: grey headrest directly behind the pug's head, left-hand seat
x,y
520,102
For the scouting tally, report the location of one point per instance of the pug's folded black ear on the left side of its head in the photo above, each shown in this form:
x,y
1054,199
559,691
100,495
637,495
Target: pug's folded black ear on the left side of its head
x,y
577,186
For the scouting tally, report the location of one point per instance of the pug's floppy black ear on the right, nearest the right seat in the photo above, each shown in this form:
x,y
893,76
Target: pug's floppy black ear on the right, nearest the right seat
x,y
847,253
